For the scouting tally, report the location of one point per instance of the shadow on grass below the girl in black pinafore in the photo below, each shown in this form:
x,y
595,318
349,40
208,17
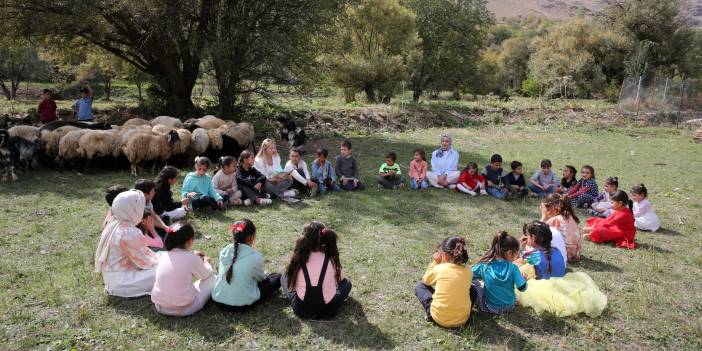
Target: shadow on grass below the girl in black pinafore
x,y
351,328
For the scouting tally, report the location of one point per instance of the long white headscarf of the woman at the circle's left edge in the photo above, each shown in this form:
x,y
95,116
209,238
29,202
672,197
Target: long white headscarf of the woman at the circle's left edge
x,y
128,208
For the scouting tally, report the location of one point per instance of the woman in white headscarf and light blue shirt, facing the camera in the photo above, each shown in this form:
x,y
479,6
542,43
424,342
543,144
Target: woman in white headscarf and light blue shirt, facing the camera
x,y
444,165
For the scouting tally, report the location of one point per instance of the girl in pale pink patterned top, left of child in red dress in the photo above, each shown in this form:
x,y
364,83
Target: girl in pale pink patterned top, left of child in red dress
x,y
558,213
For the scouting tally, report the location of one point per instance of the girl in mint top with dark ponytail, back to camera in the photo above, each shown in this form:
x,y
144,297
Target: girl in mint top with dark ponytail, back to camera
x,y
242,283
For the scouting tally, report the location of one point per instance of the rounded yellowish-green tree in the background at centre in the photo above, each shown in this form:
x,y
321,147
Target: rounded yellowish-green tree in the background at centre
x,y
374,37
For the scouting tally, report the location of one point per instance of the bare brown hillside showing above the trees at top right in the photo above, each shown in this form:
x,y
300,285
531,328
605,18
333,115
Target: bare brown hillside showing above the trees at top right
x,y
562,9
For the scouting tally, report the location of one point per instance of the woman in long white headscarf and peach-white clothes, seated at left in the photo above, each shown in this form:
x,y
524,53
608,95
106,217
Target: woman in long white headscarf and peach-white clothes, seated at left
x,y
127,265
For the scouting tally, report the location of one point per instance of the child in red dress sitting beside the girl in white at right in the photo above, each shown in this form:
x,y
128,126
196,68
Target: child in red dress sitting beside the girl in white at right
x,y
618,228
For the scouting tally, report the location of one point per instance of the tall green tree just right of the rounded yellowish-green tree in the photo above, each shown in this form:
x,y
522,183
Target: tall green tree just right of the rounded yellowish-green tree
x,y
452,33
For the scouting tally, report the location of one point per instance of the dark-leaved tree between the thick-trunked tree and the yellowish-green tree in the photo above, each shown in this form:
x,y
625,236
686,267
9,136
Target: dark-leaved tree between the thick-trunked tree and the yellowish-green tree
x,y
254,43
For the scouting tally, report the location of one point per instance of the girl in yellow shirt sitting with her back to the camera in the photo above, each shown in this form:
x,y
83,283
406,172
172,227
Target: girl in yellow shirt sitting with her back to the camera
x,y
444,291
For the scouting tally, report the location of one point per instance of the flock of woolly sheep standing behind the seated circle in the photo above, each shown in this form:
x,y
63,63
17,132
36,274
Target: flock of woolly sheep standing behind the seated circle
x,y
159,140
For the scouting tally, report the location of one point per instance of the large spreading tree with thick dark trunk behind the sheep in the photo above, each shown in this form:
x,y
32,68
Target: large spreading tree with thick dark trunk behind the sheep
x,y
165,39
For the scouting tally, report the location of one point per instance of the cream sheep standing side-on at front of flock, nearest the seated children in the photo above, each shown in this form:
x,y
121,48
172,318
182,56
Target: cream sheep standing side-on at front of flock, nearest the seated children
x,y
149,147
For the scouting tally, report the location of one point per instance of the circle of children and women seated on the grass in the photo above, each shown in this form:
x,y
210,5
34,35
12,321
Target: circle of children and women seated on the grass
x,y
149,255
